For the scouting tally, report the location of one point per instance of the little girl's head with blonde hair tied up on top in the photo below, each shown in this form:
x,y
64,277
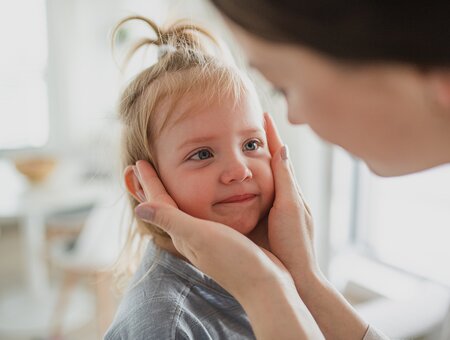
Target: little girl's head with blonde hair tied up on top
x,y
189,103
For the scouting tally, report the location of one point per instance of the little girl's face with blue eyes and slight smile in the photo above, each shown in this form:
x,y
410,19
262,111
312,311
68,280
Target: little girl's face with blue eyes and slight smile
x,y
215,163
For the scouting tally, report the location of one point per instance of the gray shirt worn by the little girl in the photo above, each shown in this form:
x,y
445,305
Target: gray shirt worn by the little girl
x,y
174,300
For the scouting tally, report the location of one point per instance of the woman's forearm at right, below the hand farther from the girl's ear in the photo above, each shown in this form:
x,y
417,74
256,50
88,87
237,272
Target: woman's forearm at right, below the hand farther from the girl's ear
x,y
336,318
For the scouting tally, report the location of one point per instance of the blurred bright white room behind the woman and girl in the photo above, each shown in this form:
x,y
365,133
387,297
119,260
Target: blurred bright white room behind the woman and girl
x,y
63,215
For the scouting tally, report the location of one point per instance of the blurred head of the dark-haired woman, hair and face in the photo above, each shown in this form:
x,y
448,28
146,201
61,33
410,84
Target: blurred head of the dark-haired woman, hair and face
x,y
383,94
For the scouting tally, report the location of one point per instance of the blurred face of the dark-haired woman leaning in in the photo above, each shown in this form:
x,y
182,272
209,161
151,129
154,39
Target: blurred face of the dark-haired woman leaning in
x,y
380,113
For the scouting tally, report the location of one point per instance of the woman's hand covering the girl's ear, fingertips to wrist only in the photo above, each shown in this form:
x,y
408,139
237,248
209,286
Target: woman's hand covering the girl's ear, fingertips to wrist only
x,y
218,250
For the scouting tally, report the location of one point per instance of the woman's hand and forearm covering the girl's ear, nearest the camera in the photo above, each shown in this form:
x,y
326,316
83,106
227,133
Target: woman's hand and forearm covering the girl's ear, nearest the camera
x,y
254,276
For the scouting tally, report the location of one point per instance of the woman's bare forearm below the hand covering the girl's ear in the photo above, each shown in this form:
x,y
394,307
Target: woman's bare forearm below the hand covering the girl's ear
x,y
277,312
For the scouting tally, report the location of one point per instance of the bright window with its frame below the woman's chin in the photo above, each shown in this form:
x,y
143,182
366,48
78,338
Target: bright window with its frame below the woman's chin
x,y
403,222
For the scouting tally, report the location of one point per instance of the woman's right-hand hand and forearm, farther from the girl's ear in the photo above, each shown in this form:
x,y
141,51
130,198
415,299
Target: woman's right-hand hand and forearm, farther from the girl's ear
x,y
291,234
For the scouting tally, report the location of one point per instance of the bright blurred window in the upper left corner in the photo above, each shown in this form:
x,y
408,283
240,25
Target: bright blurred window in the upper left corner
x,y
23,87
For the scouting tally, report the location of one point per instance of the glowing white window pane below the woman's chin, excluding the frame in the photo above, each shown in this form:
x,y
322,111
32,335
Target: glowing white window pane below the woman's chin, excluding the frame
x,y
405,221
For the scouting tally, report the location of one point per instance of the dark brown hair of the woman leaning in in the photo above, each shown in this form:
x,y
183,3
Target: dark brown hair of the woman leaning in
x,y
361,31
